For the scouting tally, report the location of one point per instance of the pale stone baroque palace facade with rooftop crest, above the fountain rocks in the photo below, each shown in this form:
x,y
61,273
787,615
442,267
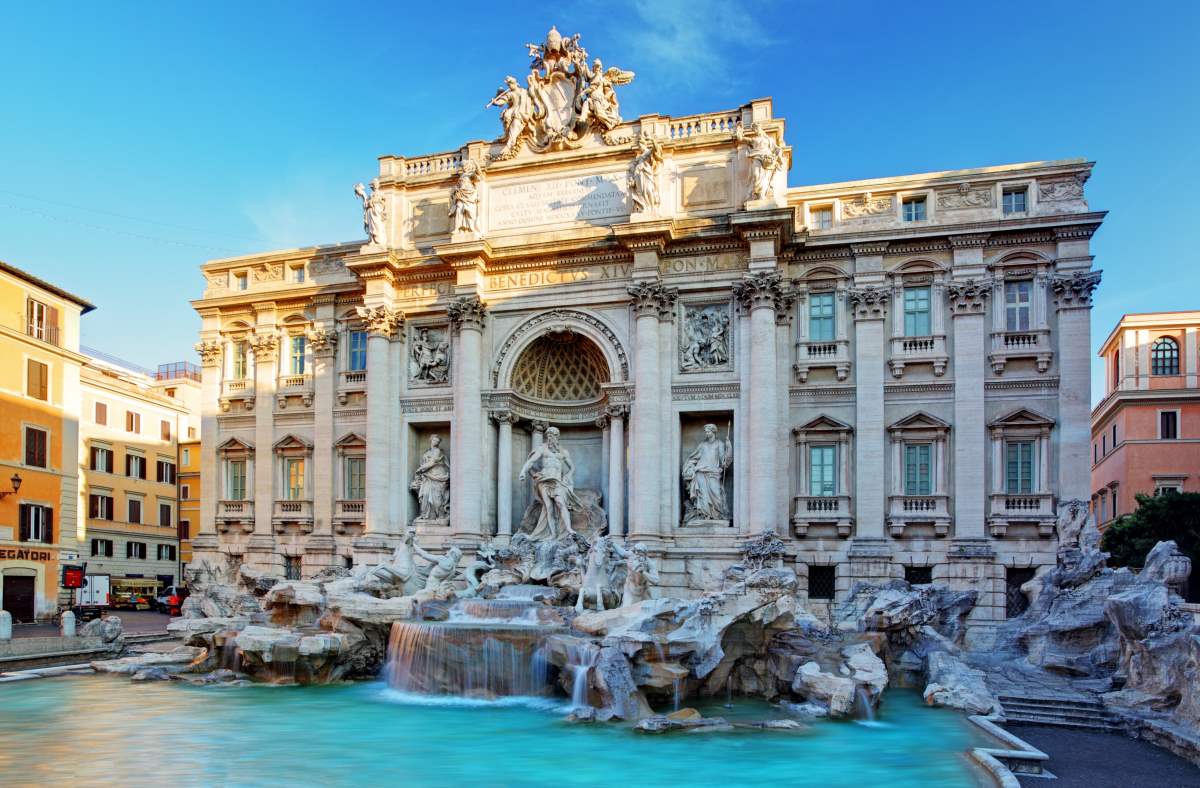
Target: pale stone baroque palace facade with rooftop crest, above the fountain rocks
x,y
892,375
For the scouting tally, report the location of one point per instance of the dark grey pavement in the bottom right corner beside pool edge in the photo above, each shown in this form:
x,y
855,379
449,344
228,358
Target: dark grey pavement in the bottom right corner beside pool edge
x,y
1084,760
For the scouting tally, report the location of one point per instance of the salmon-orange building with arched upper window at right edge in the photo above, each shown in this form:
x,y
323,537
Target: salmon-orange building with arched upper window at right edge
x,y
1147,431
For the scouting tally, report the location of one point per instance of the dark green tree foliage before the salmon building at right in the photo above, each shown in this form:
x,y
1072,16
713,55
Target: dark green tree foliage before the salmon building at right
x,y
1168,516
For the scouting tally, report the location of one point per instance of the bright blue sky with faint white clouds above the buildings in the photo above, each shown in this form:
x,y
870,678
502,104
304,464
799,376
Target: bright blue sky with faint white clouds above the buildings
x,y
140,140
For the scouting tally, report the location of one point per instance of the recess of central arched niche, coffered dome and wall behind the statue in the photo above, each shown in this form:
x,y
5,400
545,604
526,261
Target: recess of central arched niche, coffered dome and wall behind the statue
x,y
567,370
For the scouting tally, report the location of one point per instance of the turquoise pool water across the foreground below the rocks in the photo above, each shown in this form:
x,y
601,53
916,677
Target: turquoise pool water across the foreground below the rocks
x,y
105,730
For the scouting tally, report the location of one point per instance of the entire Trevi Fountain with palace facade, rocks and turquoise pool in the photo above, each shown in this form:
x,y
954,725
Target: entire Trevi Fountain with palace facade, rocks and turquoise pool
x,y
493,618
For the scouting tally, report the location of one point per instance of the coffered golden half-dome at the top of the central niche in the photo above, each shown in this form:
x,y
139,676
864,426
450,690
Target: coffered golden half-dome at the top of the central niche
x,y
561,366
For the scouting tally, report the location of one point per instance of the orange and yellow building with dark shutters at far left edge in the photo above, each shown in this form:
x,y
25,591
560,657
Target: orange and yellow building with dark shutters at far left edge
x,y
40,368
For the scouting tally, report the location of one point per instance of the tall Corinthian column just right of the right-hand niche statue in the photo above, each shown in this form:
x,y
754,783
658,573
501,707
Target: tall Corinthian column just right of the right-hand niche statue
x,y
759,294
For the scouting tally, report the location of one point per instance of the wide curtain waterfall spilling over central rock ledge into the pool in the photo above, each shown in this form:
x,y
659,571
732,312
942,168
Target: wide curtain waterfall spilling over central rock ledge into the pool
x,y
473,660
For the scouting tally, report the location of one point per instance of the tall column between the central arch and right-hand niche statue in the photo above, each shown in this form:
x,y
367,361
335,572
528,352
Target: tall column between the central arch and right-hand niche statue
x,y
647,426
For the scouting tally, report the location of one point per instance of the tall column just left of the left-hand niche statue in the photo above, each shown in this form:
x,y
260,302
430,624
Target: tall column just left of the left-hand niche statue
x,y
382,324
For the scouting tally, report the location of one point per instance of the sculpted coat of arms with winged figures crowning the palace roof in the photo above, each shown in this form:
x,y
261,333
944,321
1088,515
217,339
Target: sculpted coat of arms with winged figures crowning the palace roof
x,y
563,99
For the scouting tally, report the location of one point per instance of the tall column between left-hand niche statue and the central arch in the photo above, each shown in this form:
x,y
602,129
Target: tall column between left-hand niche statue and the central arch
x,y
467,316
